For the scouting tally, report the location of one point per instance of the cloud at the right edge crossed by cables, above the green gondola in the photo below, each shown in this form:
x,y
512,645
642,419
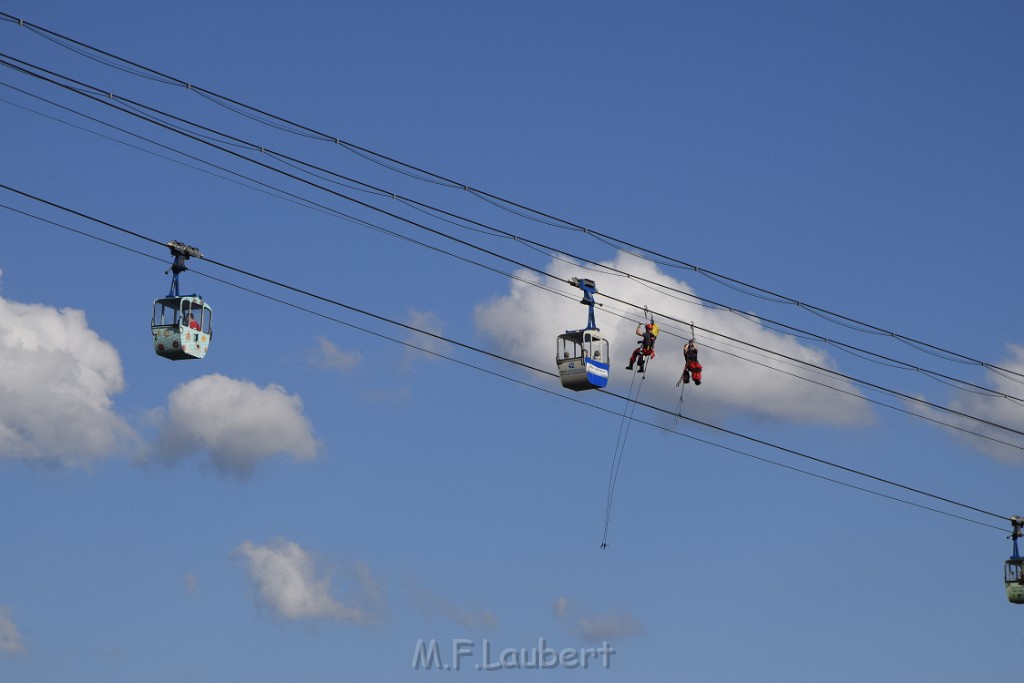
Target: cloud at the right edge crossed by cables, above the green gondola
x,y
997,410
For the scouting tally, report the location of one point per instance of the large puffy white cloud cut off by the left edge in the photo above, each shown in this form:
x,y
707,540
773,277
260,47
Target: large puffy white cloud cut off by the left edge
x,y
59,379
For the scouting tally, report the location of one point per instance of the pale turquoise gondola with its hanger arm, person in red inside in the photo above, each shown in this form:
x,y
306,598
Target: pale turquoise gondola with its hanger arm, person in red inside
x,y
183,326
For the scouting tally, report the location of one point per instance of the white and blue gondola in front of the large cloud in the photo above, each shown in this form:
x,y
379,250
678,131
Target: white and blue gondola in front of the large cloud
x,y
582,356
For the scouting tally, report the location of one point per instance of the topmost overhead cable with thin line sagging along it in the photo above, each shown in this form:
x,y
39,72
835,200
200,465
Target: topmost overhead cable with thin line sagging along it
x,y
523,210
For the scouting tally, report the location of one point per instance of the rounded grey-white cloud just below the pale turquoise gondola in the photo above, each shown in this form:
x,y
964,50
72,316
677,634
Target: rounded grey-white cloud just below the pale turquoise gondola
x,y
236,422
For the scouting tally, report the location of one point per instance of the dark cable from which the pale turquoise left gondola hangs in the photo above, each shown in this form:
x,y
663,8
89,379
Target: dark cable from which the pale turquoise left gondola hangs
x,y
498,357
